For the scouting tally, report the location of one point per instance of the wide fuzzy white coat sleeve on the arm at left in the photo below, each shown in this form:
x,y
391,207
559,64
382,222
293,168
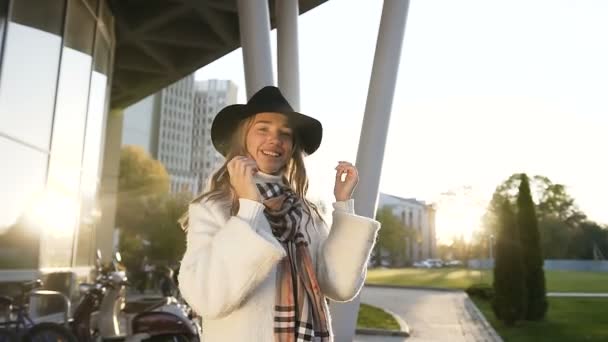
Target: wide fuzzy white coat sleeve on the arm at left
x,y
226,260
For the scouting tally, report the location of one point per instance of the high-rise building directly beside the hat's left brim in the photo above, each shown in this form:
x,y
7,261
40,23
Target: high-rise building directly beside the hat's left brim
x,y
210,97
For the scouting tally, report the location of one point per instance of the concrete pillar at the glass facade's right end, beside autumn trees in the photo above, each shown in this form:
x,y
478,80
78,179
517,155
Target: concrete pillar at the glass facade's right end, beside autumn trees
x,y
108,190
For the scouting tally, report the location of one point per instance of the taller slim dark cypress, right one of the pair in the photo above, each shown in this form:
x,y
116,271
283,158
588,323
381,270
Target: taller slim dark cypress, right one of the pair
x,y
531,253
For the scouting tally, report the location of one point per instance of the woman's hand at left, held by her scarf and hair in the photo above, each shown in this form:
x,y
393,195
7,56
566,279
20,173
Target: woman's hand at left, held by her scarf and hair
x,y
241,170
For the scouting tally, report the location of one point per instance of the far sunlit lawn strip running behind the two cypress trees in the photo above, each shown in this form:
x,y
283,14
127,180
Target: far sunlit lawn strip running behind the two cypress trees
x,y
460,278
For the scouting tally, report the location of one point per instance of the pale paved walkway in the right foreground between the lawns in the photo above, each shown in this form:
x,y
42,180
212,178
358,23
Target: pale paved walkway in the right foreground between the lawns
x,y
431,315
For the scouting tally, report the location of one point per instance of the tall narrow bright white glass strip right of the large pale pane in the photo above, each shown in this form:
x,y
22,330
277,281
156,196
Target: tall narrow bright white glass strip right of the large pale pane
x,y
66,155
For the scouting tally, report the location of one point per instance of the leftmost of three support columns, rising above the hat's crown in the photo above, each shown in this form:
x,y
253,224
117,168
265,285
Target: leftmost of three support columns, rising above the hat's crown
x,y
254,25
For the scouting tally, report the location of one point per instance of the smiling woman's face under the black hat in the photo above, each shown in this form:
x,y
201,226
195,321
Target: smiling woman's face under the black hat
x,y
270,142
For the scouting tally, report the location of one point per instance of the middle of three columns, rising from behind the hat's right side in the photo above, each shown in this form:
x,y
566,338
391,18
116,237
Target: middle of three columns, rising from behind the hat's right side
x,y
288,63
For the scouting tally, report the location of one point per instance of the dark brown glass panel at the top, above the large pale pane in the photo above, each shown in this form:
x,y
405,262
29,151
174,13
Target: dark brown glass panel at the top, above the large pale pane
x,y
41,14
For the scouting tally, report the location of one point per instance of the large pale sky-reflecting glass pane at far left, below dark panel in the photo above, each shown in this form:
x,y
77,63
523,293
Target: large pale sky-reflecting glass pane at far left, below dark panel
x,y
27,85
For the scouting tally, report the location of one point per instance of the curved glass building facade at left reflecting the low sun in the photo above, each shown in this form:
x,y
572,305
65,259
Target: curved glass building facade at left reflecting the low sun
x,y
55,64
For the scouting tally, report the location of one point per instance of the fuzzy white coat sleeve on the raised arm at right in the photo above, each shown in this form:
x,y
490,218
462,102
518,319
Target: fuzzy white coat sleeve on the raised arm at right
x,y
344,251
